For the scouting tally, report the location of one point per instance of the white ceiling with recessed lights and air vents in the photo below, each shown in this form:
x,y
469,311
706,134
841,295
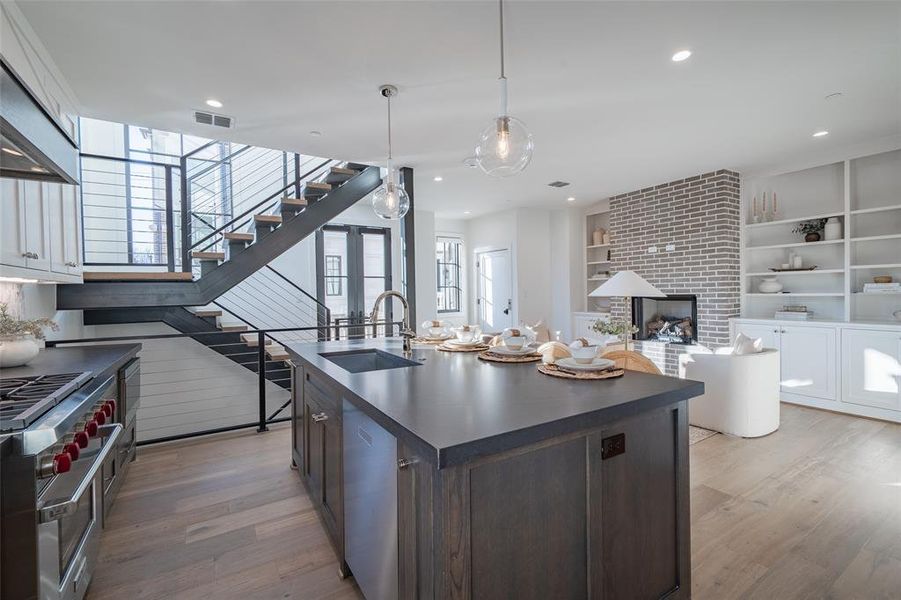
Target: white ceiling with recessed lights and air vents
x,y
610,112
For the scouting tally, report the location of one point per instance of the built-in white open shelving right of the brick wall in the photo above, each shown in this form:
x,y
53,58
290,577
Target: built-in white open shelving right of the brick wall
x,y
863,195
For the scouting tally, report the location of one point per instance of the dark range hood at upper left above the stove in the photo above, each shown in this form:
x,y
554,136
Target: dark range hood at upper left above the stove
x,y
32,143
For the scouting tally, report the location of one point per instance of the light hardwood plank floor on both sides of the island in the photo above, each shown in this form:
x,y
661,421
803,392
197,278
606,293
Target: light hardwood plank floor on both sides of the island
x,y
812,511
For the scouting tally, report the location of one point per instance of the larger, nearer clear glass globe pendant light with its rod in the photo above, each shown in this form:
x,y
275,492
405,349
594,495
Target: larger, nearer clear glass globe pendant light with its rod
x,y
505,146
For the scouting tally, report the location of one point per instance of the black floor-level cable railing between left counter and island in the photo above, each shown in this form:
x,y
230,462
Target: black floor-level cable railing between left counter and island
x,y
191,385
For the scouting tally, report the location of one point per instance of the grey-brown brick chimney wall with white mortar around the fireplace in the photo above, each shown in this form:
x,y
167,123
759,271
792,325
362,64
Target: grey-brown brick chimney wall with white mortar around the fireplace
x,y
700,216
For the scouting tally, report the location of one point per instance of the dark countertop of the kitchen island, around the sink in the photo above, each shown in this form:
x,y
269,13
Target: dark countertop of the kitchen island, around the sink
x,y
455,407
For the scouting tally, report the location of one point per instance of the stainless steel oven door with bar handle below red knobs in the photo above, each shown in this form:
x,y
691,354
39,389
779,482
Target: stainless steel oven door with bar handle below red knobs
x,y
69,516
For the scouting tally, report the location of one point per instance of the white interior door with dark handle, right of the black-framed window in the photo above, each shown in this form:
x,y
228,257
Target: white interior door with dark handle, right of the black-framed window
x,y
494,290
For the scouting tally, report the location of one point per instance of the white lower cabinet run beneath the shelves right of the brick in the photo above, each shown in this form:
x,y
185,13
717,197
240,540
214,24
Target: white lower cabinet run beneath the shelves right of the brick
x,y
845,367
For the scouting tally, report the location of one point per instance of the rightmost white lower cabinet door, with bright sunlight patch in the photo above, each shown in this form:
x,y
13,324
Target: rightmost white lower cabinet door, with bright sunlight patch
x,y
871,368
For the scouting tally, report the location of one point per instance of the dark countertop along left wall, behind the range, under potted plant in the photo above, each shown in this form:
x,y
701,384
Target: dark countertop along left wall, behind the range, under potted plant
x,y
98,359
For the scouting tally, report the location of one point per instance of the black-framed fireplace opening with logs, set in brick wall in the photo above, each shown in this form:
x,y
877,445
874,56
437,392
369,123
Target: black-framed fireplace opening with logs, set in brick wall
x,y
672,319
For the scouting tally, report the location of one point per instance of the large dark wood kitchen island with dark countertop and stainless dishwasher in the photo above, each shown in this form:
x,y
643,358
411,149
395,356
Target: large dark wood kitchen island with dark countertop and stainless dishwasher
x,y
451,477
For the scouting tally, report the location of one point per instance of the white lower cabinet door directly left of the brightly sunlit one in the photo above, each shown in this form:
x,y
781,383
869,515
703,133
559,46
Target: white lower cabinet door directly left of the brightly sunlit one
x,y
808,361
